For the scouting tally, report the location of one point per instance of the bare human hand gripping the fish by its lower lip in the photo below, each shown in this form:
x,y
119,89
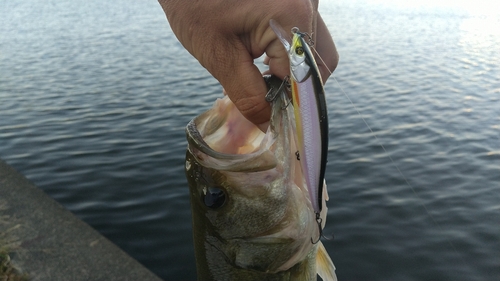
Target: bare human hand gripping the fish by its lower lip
x,y
227,35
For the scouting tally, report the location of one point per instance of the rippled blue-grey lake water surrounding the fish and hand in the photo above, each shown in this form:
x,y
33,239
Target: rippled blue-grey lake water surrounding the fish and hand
x,y
95,95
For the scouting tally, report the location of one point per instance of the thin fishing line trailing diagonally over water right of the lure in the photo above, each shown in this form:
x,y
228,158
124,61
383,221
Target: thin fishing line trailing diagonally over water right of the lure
x,y
389,156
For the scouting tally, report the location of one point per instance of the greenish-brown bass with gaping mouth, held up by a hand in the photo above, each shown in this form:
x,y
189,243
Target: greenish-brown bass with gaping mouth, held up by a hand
x,y
252,215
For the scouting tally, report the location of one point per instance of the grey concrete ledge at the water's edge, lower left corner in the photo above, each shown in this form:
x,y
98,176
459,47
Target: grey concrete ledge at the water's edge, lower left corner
x,y
48,242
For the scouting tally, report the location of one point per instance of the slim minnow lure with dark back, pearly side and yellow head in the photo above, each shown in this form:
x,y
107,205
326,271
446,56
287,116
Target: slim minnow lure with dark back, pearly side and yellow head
x,y
309,104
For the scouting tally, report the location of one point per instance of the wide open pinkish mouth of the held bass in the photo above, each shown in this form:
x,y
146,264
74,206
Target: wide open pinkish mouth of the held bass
x,y
226,140
